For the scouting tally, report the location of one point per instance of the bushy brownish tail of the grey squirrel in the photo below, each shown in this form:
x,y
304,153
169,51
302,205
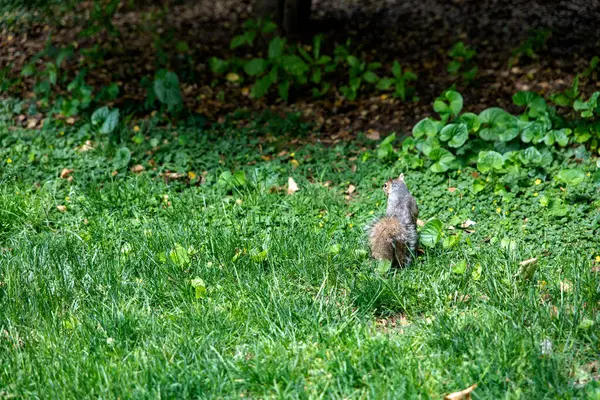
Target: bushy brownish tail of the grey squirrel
x,y
391,240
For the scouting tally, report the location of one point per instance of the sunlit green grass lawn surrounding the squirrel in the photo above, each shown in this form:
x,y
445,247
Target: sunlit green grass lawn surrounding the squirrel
x,y
98,301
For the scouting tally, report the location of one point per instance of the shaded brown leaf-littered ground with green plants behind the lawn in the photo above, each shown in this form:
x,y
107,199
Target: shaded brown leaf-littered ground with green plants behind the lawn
x,y
87,54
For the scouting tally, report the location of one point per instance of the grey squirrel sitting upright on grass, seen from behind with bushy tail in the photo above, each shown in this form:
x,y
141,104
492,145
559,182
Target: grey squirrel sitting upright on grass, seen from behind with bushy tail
x,y
394,236
